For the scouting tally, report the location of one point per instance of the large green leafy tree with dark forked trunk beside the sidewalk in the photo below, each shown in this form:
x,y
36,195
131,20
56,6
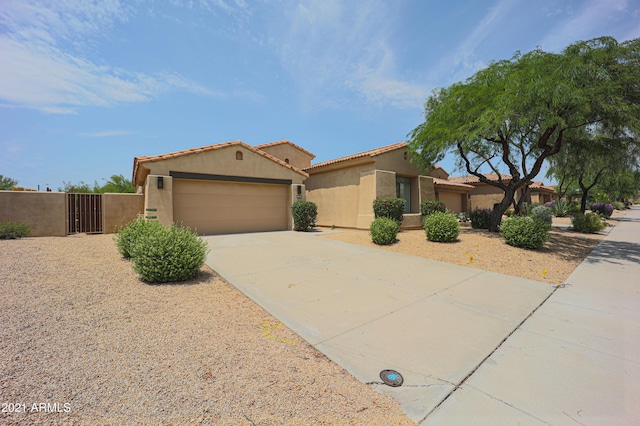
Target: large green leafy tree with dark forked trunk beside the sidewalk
x,y
519,112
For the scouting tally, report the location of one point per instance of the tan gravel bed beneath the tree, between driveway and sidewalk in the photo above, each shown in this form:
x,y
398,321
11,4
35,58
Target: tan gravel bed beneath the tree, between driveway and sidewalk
x,y
481,249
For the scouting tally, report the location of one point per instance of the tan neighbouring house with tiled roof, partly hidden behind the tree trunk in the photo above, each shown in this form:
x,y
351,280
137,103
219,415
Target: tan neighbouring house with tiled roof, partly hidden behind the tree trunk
x,y
484,196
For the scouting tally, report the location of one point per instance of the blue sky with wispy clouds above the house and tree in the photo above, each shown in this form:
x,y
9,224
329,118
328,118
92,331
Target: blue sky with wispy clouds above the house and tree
x,y
86,86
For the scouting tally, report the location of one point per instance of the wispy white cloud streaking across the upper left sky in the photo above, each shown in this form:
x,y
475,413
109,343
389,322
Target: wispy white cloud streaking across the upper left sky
x,y
44,66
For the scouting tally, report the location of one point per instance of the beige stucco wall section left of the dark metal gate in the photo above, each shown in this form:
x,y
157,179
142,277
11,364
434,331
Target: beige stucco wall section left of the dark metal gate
x,y
44,212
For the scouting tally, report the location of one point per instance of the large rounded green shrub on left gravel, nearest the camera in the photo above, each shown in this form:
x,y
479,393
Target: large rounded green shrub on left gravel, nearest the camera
x,y
165,254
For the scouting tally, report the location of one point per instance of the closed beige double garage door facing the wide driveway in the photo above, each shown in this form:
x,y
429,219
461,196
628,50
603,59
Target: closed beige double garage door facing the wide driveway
x,y
214,207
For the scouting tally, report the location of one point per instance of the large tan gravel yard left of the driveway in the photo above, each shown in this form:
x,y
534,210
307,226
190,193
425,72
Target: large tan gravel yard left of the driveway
x,y
80,330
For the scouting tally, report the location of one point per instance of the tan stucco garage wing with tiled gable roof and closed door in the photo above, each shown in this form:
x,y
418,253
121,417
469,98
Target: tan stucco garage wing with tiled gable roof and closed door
x,y
222,188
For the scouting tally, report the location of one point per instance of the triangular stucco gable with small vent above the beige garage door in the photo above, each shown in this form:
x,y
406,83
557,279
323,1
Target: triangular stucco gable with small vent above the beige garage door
x,y
223,162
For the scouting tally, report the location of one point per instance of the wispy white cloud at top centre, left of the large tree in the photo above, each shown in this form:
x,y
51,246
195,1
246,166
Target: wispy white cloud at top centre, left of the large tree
x,y
332,45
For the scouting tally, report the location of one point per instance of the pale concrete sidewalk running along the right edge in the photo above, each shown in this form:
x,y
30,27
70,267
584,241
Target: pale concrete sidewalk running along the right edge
x,y
576,361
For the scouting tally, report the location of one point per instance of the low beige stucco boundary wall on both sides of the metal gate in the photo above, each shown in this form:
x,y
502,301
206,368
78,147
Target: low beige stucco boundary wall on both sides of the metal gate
x,y
47,215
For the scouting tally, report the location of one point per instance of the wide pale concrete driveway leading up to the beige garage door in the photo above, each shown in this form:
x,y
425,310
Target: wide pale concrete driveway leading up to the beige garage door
x,y
369,310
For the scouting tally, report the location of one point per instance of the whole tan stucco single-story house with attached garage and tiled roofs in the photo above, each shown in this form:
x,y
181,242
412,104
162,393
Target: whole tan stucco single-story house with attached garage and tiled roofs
x,y
234,187
